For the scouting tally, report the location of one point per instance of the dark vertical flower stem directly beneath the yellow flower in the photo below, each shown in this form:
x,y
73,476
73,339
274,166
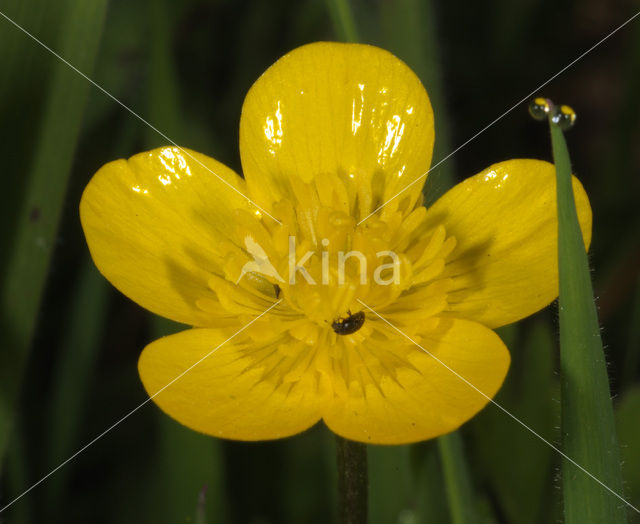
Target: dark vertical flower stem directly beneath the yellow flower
x,y
352,481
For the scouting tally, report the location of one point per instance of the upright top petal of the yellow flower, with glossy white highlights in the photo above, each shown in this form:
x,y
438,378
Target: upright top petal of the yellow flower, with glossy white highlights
x,y
327,109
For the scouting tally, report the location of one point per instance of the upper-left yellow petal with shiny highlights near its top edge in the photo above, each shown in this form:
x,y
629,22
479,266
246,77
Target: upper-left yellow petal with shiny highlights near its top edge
x,y
153,222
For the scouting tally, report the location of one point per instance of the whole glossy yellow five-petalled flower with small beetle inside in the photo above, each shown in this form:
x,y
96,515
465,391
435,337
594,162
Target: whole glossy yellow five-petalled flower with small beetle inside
x,y
328,134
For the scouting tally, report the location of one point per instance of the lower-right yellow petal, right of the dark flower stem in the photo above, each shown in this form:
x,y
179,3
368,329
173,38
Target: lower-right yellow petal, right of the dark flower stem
x,y
425,398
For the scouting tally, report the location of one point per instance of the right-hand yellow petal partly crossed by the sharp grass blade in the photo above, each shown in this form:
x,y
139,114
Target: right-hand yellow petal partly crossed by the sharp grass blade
x,y
504,266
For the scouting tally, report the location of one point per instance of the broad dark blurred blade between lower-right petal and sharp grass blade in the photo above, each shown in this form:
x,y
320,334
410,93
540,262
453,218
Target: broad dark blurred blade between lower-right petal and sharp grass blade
x,y
512,464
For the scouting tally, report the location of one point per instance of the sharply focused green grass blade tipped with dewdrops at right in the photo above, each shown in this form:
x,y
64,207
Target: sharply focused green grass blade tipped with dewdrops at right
x,y
588,429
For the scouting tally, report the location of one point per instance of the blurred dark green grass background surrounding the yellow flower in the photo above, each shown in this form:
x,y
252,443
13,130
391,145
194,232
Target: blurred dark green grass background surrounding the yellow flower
x,y
185,67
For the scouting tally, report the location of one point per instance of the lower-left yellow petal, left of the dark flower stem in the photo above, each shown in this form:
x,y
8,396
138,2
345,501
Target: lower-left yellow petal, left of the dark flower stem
x,y
238,389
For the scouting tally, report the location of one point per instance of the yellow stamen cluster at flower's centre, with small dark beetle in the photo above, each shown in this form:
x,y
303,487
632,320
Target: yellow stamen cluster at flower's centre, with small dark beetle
x,y
327,271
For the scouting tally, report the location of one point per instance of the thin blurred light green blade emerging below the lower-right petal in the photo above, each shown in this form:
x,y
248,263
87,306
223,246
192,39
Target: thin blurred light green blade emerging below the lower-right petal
x,y
456,477
